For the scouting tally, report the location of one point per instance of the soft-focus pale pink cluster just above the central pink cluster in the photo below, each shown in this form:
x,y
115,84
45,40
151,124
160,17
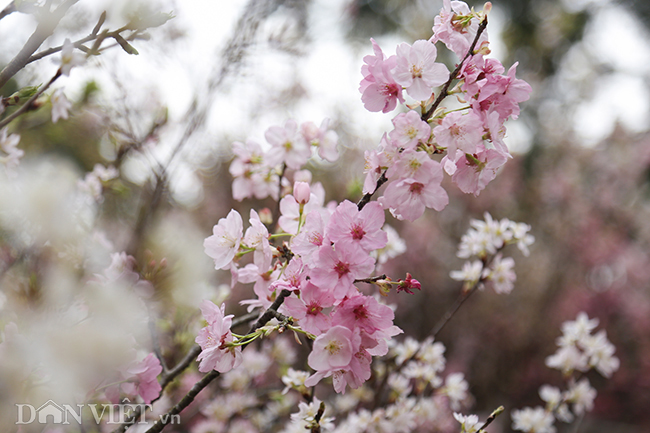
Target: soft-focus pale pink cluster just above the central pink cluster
x,y
257,172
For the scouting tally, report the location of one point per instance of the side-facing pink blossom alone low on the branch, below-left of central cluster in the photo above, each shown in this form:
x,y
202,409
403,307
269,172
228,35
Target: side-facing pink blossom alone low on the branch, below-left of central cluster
x,y
215,355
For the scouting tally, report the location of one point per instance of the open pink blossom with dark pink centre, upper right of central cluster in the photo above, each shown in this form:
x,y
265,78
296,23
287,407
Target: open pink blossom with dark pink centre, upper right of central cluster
x,y
361,228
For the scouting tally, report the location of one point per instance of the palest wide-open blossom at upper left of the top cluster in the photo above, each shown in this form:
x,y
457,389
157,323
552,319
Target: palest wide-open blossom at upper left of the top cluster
x,y
417,69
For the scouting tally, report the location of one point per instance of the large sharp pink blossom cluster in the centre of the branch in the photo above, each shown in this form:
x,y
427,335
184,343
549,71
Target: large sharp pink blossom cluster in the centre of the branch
x,y
330,249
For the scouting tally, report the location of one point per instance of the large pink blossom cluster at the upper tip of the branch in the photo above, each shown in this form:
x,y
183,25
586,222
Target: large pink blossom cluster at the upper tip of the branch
x,y
470,136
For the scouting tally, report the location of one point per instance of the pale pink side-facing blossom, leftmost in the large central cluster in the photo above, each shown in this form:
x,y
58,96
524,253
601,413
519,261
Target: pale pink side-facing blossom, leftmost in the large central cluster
x,y
225,240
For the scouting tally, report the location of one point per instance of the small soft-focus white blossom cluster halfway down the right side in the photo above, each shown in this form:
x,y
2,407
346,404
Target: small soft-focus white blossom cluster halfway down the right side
x,y
485,239
